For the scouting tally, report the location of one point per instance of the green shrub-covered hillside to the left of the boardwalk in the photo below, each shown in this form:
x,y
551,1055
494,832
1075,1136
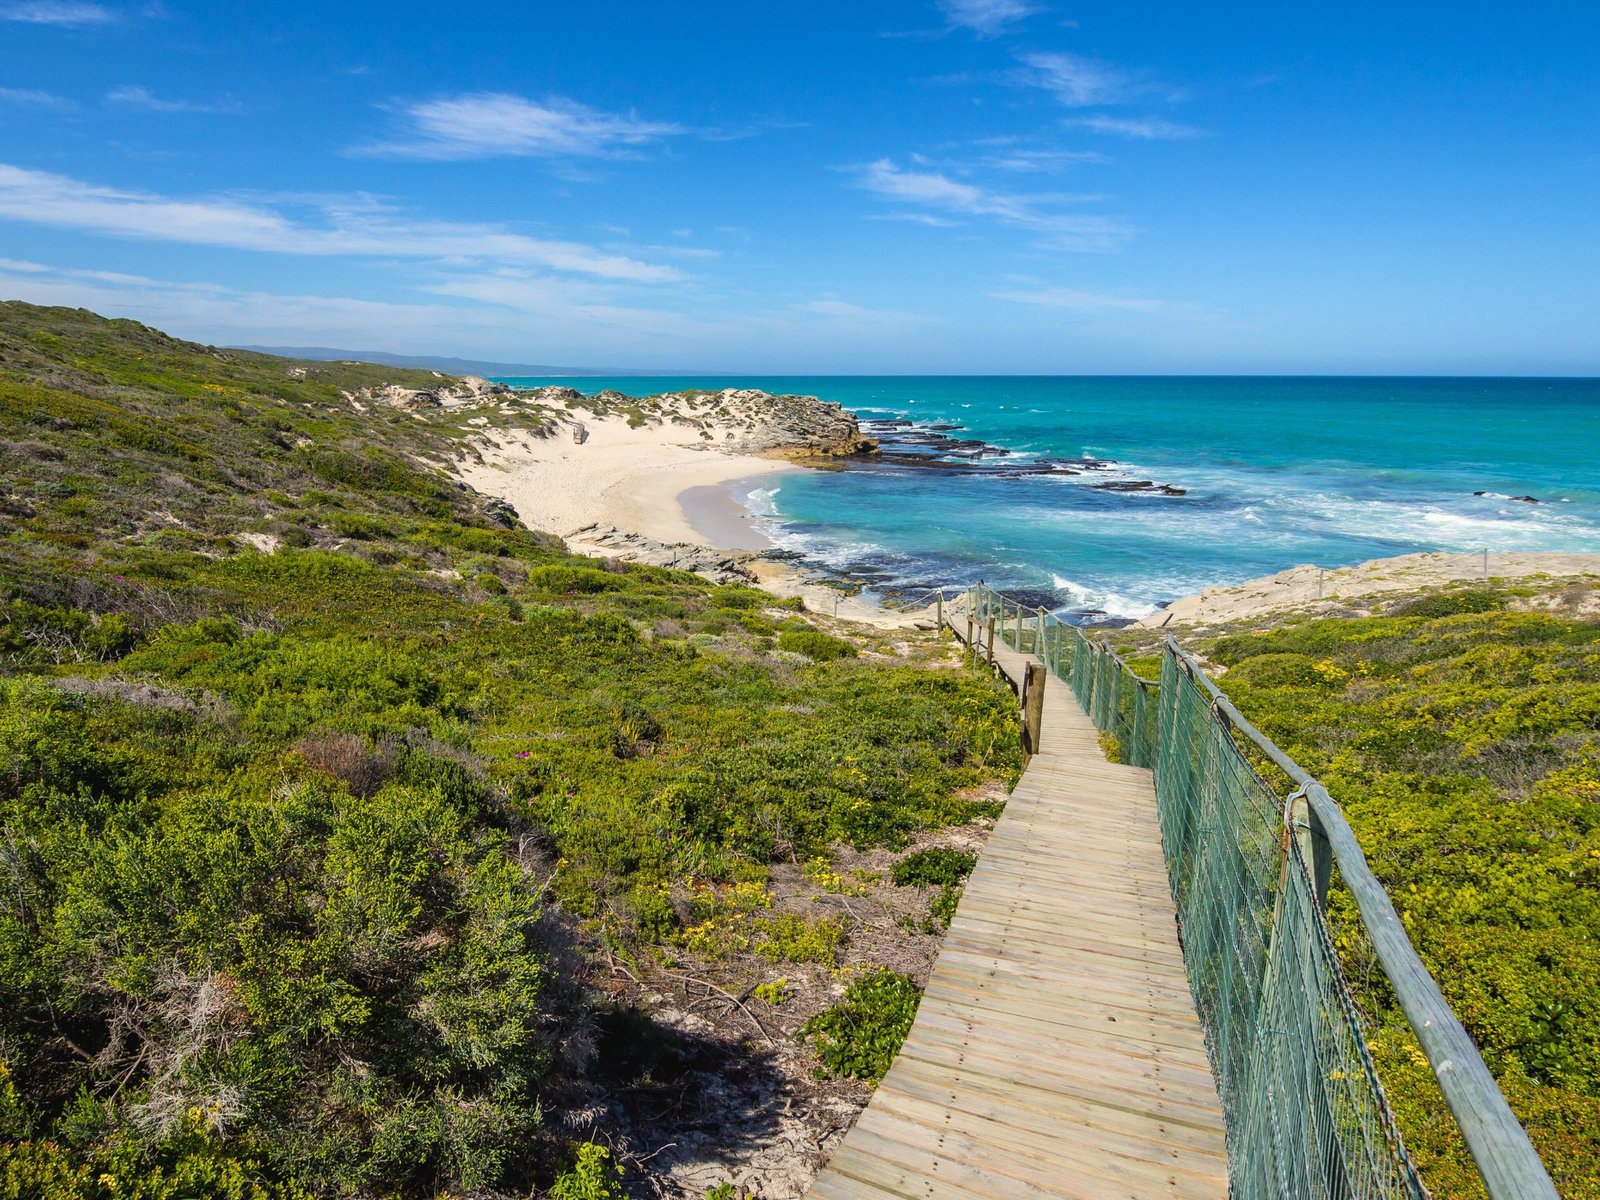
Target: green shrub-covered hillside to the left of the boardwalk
x,y
340,809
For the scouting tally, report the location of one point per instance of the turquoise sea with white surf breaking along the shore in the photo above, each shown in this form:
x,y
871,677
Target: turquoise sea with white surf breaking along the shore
x,y
1276,471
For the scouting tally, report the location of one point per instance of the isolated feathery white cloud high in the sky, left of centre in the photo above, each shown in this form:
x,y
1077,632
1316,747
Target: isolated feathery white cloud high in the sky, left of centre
x,y
497,126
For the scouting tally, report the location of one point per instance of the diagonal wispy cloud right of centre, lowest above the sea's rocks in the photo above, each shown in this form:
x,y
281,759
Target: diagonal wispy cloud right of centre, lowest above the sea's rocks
x,y
940,193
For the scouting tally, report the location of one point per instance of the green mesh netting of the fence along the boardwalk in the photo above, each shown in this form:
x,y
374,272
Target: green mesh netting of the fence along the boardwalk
x,y
1305,1110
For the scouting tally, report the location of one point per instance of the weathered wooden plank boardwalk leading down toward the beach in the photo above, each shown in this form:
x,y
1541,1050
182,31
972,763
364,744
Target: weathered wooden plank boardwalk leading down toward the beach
x,y
1057,1052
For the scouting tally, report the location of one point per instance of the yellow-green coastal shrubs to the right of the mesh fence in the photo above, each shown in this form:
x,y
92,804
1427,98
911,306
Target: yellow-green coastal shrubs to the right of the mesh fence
x,y
1462,734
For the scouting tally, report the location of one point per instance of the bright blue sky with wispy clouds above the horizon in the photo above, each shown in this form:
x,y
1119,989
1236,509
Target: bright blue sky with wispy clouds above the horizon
x,y
932,186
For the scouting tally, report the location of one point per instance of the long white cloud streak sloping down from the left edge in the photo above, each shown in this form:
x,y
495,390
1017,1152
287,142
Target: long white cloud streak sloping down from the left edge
x,y
354,228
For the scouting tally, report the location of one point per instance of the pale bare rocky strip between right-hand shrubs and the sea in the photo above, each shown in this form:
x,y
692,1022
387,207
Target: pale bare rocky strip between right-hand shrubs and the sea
x,y
1332,591
